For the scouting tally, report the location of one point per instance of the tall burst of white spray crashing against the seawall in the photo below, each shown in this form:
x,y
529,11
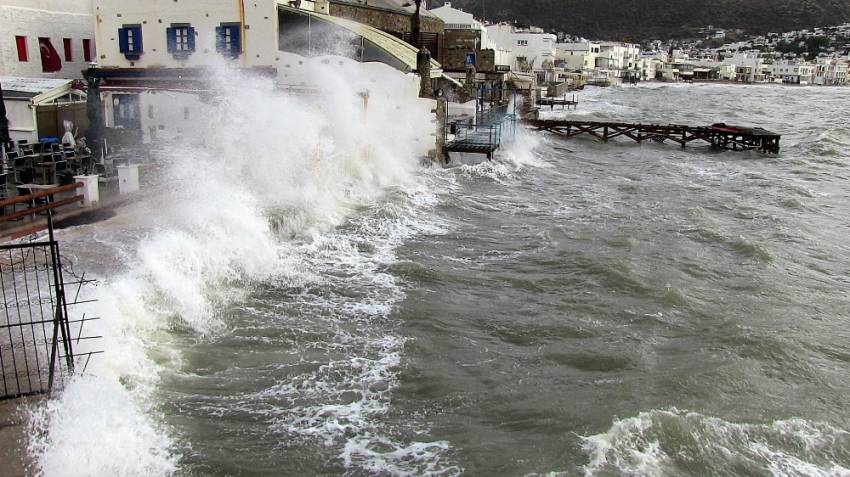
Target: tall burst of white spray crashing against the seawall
x,y
260,173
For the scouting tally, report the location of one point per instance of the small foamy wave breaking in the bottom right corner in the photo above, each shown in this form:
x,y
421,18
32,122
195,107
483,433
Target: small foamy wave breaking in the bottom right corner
x,y
676,442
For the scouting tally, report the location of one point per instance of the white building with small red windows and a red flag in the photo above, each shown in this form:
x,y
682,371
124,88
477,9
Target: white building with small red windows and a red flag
x,y
46,38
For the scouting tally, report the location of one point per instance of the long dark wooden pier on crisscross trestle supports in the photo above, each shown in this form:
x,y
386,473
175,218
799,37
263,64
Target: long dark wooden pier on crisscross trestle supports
x,y
719,136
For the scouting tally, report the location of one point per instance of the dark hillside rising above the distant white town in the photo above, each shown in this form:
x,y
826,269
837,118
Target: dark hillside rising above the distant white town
x,y
636,20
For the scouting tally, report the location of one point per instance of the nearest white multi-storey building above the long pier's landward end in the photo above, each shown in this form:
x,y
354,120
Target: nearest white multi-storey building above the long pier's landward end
x,y
532,48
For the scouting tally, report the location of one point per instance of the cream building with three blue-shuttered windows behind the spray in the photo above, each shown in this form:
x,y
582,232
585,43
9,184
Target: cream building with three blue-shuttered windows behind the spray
x,y
150,47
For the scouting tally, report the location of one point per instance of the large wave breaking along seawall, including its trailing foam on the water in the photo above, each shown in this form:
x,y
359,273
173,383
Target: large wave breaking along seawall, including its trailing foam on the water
x,y
255,199
